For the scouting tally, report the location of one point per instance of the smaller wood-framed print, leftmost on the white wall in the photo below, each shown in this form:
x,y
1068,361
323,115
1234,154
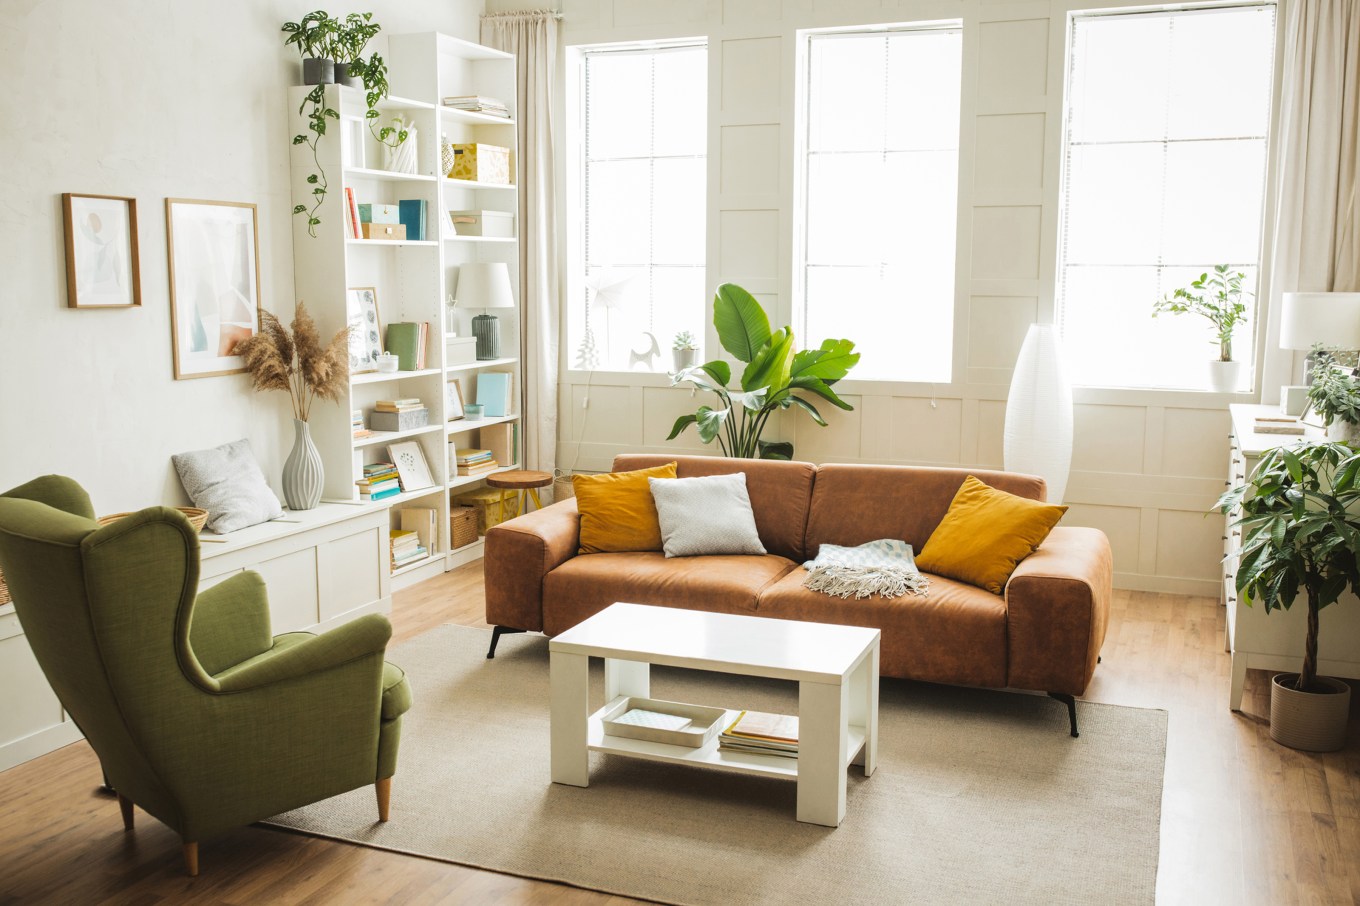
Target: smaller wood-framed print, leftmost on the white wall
x,y
103,258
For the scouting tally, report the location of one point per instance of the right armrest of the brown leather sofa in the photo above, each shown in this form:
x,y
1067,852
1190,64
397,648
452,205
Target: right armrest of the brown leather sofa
x,y
1057,611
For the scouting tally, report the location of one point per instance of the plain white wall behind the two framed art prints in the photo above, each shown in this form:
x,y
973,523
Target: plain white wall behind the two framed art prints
x,y
153,100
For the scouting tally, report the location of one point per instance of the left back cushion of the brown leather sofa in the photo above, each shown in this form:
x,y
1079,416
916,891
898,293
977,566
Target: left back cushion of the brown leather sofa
x,y
780,493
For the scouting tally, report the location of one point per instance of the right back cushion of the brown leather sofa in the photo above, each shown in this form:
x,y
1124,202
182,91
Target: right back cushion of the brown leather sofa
x,y
857,504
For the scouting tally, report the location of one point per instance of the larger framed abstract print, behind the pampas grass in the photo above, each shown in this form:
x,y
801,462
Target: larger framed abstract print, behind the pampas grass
x,y
214,254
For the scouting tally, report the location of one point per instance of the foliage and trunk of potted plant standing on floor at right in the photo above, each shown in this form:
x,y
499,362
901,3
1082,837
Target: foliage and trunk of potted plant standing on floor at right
x,y
1301,524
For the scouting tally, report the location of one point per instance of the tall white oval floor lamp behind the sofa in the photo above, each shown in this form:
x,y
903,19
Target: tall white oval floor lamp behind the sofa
x,y
1038,432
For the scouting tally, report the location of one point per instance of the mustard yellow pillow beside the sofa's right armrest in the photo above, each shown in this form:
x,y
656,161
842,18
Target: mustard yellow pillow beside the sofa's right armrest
x,y
985,535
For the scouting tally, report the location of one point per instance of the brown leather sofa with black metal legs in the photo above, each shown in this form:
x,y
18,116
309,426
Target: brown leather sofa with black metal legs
x,y
1044,633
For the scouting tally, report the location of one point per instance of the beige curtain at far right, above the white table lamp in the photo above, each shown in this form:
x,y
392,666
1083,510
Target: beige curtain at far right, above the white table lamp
x,y
1316,246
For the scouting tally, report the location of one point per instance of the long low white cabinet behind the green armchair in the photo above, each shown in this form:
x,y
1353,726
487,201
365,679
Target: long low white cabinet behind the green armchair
x,y
323,568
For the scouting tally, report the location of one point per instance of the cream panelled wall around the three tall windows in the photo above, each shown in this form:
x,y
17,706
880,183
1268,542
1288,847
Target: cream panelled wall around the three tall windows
x,y
1147,466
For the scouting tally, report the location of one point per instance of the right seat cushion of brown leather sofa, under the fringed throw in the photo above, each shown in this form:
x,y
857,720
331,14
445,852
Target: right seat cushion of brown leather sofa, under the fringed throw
x,y
955,633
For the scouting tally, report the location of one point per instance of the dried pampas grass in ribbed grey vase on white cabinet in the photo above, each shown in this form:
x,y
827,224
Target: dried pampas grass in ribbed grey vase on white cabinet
x,y
296,361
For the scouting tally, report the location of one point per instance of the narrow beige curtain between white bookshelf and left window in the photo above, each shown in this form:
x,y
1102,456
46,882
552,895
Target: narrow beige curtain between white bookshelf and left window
x,y
534,39
